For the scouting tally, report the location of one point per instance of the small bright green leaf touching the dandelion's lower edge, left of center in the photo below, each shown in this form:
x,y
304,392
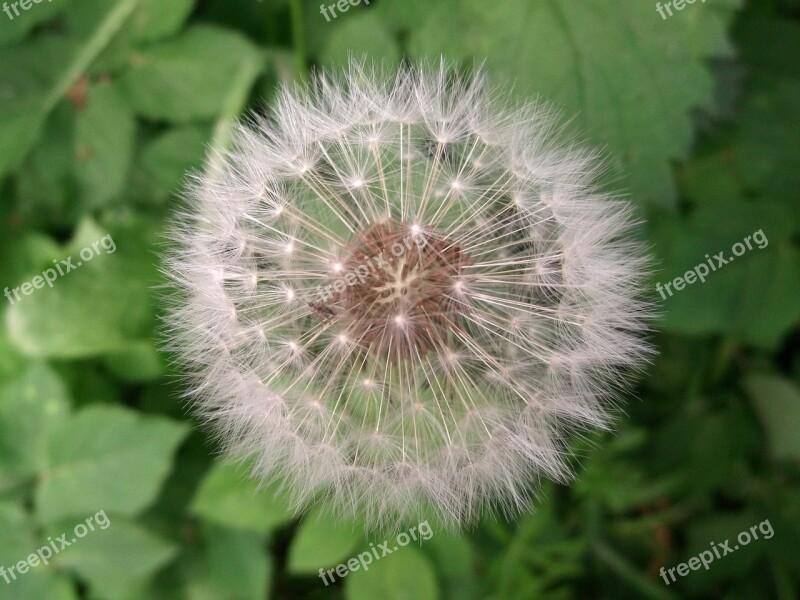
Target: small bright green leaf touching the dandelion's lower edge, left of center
x,y
321,542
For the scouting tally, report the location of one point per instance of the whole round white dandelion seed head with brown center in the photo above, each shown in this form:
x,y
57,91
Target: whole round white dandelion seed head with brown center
x,y
400,294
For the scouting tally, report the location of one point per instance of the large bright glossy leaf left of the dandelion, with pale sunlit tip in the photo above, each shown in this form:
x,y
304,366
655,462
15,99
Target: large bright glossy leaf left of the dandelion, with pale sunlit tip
x,y
98,306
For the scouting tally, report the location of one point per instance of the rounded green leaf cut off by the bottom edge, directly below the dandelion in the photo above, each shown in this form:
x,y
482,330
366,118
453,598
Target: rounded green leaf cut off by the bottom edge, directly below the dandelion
x,y
404,575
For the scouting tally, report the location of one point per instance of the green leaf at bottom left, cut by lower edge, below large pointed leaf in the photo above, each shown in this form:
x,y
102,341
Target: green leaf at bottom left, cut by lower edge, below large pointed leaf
x,y
116,560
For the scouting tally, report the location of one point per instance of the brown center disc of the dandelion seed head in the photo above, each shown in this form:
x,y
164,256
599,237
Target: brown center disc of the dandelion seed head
x,y
398,290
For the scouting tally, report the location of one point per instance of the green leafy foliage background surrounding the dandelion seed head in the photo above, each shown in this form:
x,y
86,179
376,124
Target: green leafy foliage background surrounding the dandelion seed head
x,y
105,105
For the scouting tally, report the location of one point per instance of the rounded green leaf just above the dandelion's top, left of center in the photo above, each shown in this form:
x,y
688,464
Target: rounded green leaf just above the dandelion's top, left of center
x,y
364,34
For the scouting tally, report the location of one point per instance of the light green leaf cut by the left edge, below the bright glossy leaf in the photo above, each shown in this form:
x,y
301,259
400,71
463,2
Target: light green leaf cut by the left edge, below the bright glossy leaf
x,y
31,406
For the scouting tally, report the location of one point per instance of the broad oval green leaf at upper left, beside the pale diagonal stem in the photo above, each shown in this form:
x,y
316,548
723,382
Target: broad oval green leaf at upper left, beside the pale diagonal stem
x,y
188,77
